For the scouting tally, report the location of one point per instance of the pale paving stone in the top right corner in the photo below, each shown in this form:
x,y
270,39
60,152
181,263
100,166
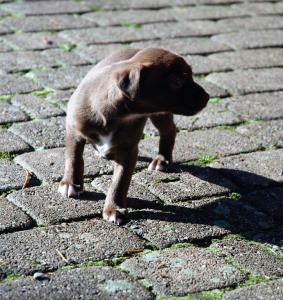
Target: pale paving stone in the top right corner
x,y
260,8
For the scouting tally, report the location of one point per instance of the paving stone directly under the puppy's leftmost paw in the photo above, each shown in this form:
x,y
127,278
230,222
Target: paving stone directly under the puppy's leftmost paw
x,y
47,207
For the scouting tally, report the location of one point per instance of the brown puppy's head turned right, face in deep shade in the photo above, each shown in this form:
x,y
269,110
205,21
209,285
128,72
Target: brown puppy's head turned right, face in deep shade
x,y
156,80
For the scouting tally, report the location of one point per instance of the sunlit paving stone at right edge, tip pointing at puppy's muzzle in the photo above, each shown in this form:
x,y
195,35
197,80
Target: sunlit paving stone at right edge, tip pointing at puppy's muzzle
x,y
249,81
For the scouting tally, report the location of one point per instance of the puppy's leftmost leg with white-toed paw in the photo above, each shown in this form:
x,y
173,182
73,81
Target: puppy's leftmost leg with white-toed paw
x,y
72,182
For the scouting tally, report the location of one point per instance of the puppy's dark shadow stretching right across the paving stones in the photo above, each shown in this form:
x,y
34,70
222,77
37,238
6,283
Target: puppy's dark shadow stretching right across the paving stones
x,y
238,215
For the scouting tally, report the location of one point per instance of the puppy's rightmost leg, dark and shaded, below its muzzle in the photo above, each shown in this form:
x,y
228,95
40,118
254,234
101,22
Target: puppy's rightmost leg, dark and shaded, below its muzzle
x,y
167,131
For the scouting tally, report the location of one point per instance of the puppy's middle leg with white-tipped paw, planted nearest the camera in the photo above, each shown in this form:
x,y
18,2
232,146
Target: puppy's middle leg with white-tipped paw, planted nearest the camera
x,y
115,207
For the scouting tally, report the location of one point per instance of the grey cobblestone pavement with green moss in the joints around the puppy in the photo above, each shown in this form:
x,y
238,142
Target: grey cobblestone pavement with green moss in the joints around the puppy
x,y
211,227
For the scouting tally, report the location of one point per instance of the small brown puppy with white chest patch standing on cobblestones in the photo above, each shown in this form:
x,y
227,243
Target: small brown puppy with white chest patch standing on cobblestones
x,y
109,110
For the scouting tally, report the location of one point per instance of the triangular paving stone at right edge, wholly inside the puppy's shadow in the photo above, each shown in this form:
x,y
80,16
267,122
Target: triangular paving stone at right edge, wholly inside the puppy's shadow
x,y
268,201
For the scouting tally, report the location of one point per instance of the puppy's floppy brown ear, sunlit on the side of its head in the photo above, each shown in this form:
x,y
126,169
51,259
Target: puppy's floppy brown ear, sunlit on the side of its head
x,y
128,80
